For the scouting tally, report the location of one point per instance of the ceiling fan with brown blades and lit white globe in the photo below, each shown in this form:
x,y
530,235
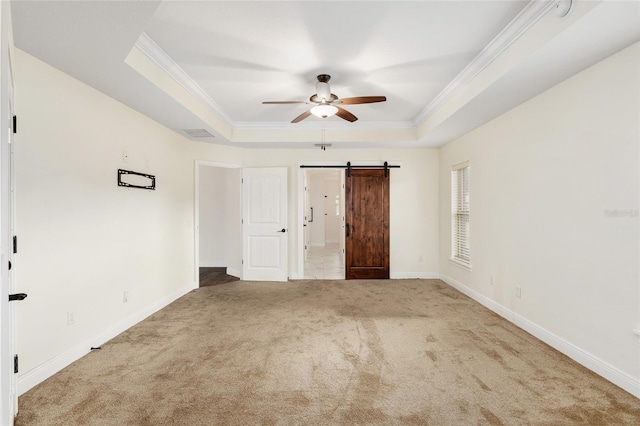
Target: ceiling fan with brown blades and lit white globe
x,y
325,104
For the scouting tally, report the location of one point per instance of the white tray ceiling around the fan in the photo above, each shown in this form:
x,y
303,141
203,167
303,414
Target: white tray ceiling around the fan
x,y
445,67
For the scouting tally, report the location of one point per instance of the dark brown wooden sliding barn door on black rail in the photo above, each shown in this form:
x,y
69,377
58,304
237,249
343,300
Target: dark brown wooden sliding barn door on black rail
x,y
367,224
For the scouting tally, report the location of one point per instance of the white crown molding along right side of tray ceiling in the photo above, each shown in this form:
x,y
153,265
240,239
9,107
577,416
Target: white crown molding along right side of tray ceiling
x,y
531,14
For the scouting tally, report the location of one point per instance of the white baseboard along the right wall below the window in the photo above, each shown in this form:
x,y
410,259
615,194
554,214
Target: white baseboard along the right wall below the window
x,y
593,363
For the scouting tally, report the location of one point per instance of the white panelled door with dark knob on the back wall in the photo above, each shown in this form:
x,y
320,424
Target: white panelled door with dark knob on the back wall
x,y
264,224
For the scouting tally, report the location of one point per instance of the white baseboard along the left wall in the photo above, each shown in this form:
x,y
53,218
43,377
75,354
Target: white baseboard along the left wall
x,y
44,371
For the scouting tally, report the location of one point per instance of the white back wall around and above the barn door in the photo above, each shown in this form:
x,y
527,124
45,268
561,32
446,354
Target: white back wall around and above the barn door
x,y
413,200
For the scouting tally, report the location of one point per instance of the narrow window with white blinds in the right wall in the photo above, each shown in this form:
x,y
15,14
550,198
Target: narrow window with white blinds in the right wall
x,y
460,214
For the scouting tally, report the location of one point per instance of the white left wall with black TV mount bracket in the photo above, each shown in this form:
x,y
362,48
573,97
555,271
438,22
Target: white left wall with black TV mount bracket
x,y
84,241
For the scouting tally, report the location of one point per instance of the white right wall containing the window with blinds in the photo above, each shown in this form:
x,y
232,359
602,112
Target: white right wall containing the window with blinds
x,y
544,178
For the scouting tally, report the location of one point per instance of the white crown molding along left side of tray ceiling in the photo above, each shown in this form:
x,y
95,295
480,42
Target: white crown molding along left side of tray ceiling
x,y
164,61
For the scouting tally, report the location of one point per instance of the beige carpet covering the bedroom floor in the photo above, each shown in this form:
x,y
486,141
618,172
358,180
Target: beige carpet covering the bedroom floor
x,y
413,352
